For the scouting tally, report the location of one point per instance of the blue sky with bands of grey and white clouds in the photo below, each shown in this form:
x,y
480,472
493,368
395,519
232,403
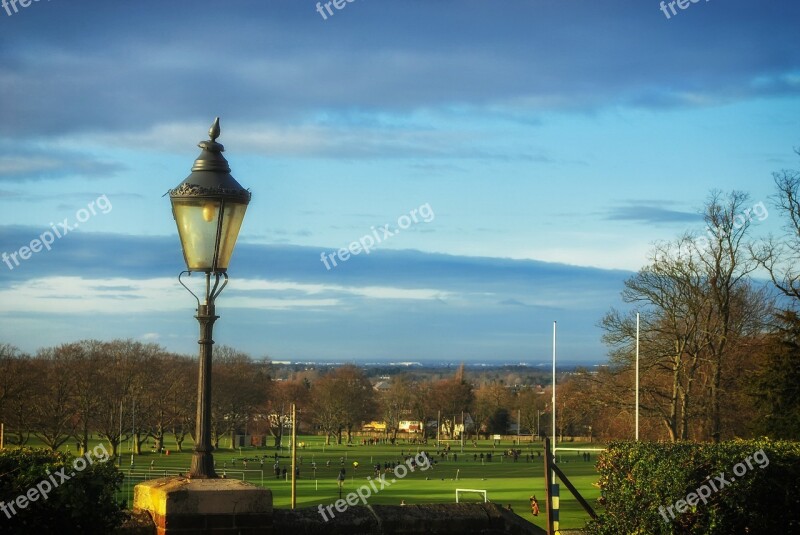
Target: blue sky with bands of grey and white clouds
x,y
552,141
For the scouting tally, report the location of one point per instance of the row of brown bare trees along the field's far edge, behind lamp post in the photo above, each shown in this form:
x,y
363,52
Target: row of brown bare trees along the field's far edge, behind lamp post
x,y
125,391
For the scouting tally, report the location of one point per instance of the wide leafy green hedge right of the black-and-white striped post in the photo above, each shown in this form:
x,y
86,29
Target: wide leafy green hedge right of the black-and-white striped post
x,y
639,481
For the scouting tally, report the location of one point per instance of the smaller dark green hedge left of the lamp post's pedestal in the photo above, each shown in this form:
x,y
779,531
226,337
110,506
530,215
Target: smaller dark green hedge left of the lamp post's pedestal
x,y
84,503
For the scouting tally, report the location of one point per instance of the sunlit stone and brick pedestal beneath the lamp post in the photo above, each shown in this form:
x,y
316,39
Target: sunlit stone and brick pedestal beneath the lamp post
x,y
181,506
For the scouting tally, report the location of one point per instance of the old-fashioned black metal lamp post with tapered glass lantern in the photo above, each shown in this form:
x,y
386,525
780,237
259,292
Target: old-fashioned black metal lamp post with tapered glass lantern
x,y
208,208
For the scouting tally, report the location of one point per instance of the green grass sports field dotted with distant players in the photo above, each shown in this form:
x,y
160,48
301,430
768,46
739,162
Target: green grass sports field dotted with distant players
x,y
505,481
